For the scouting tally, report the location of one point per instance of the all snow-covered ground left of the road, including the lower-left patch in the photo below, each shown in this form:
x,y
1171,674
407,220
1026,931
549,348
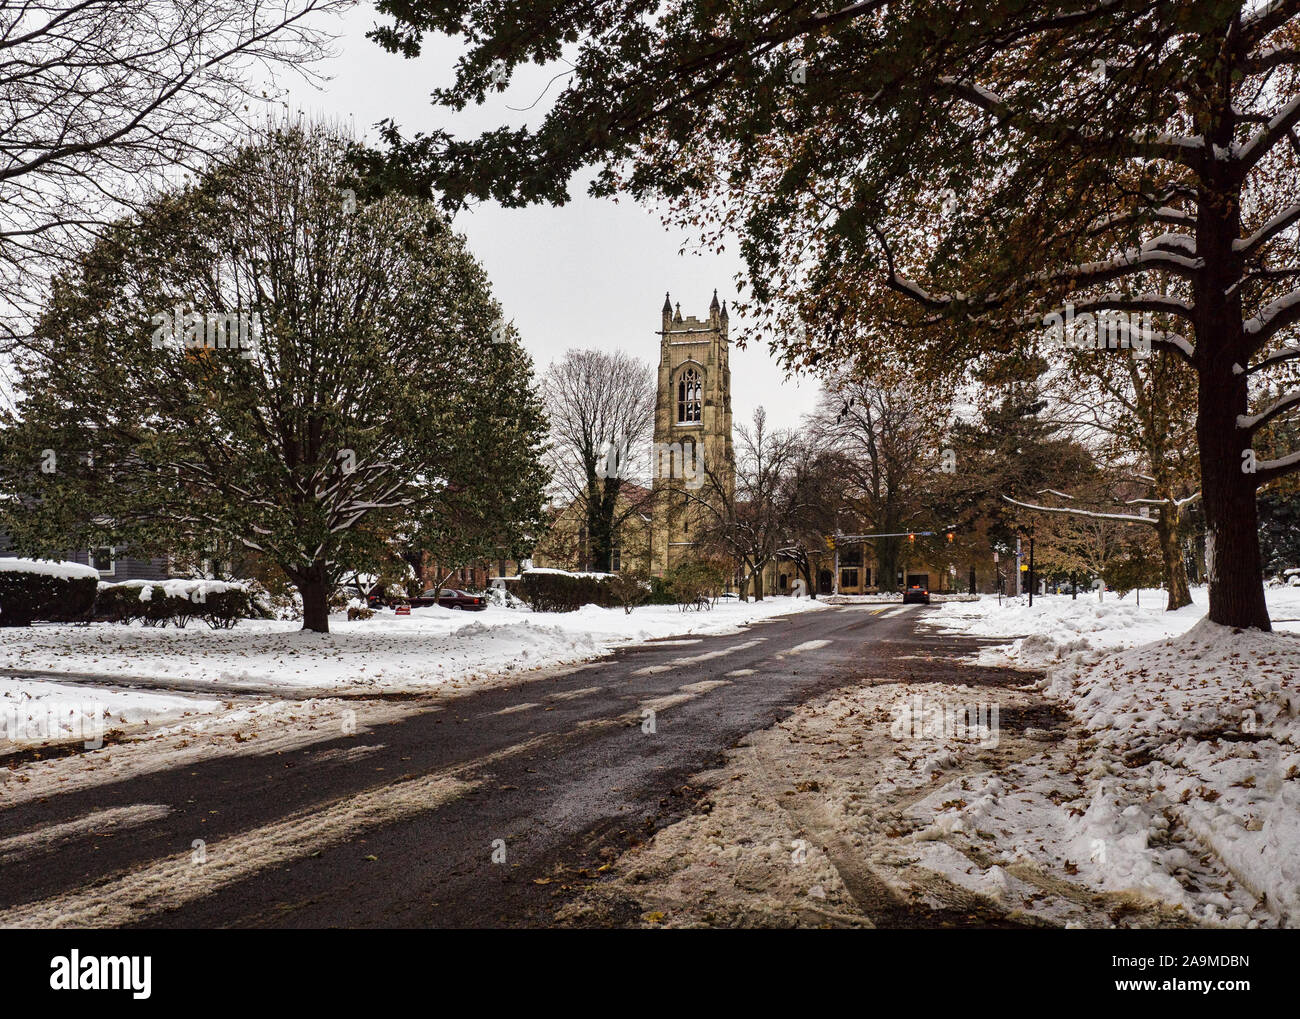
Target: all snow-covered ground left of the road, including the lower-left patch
x,y
431,648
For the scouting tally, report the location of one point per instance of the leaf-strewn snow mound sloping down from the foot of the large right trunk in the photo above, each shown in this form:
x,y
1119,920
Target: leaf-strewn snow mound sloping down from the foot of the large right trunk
x,y
1202,731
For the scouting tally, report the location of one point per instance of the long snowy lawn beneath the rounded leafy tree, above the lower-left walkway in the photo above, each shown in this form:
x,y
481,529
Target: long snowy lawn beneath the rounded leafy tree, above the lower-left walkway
x,y
430,648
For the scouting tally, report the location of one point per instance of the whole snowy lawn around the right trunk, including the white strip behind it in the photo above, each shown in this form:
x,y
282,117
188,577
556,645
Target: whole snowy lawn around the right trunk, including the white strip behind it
x,y
1184,761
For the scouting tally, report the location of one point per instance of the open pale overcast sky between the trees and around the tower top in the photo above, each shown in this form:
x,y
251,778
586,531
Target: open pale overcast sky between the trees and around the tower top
x,y
587,275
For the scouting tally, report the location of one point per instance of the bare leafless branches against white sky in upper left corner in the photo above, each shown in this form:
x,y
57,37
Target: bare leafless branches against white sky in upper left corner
x,y
99,99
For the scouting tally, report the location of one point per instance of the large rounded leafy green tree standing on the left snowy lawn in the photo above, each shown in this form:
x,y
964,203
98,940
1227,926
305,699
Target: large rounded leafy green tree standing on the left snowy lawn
x,y
263,361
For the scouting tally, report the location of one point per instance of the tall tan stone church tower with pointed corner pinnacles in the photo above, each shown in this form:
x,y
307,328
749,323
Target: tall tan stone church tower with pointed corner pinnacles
x,y
692,431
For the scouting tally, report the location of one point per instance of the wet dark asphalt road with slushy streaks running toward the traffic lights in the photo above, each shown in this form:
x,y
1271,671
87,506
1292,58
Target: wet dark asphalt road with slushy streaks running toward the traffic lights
x,y
400,826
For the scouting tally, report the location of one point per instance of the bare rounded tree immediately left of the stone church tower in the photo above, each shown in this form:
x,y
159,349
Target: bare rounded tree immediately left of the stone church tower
x,y
601,407
